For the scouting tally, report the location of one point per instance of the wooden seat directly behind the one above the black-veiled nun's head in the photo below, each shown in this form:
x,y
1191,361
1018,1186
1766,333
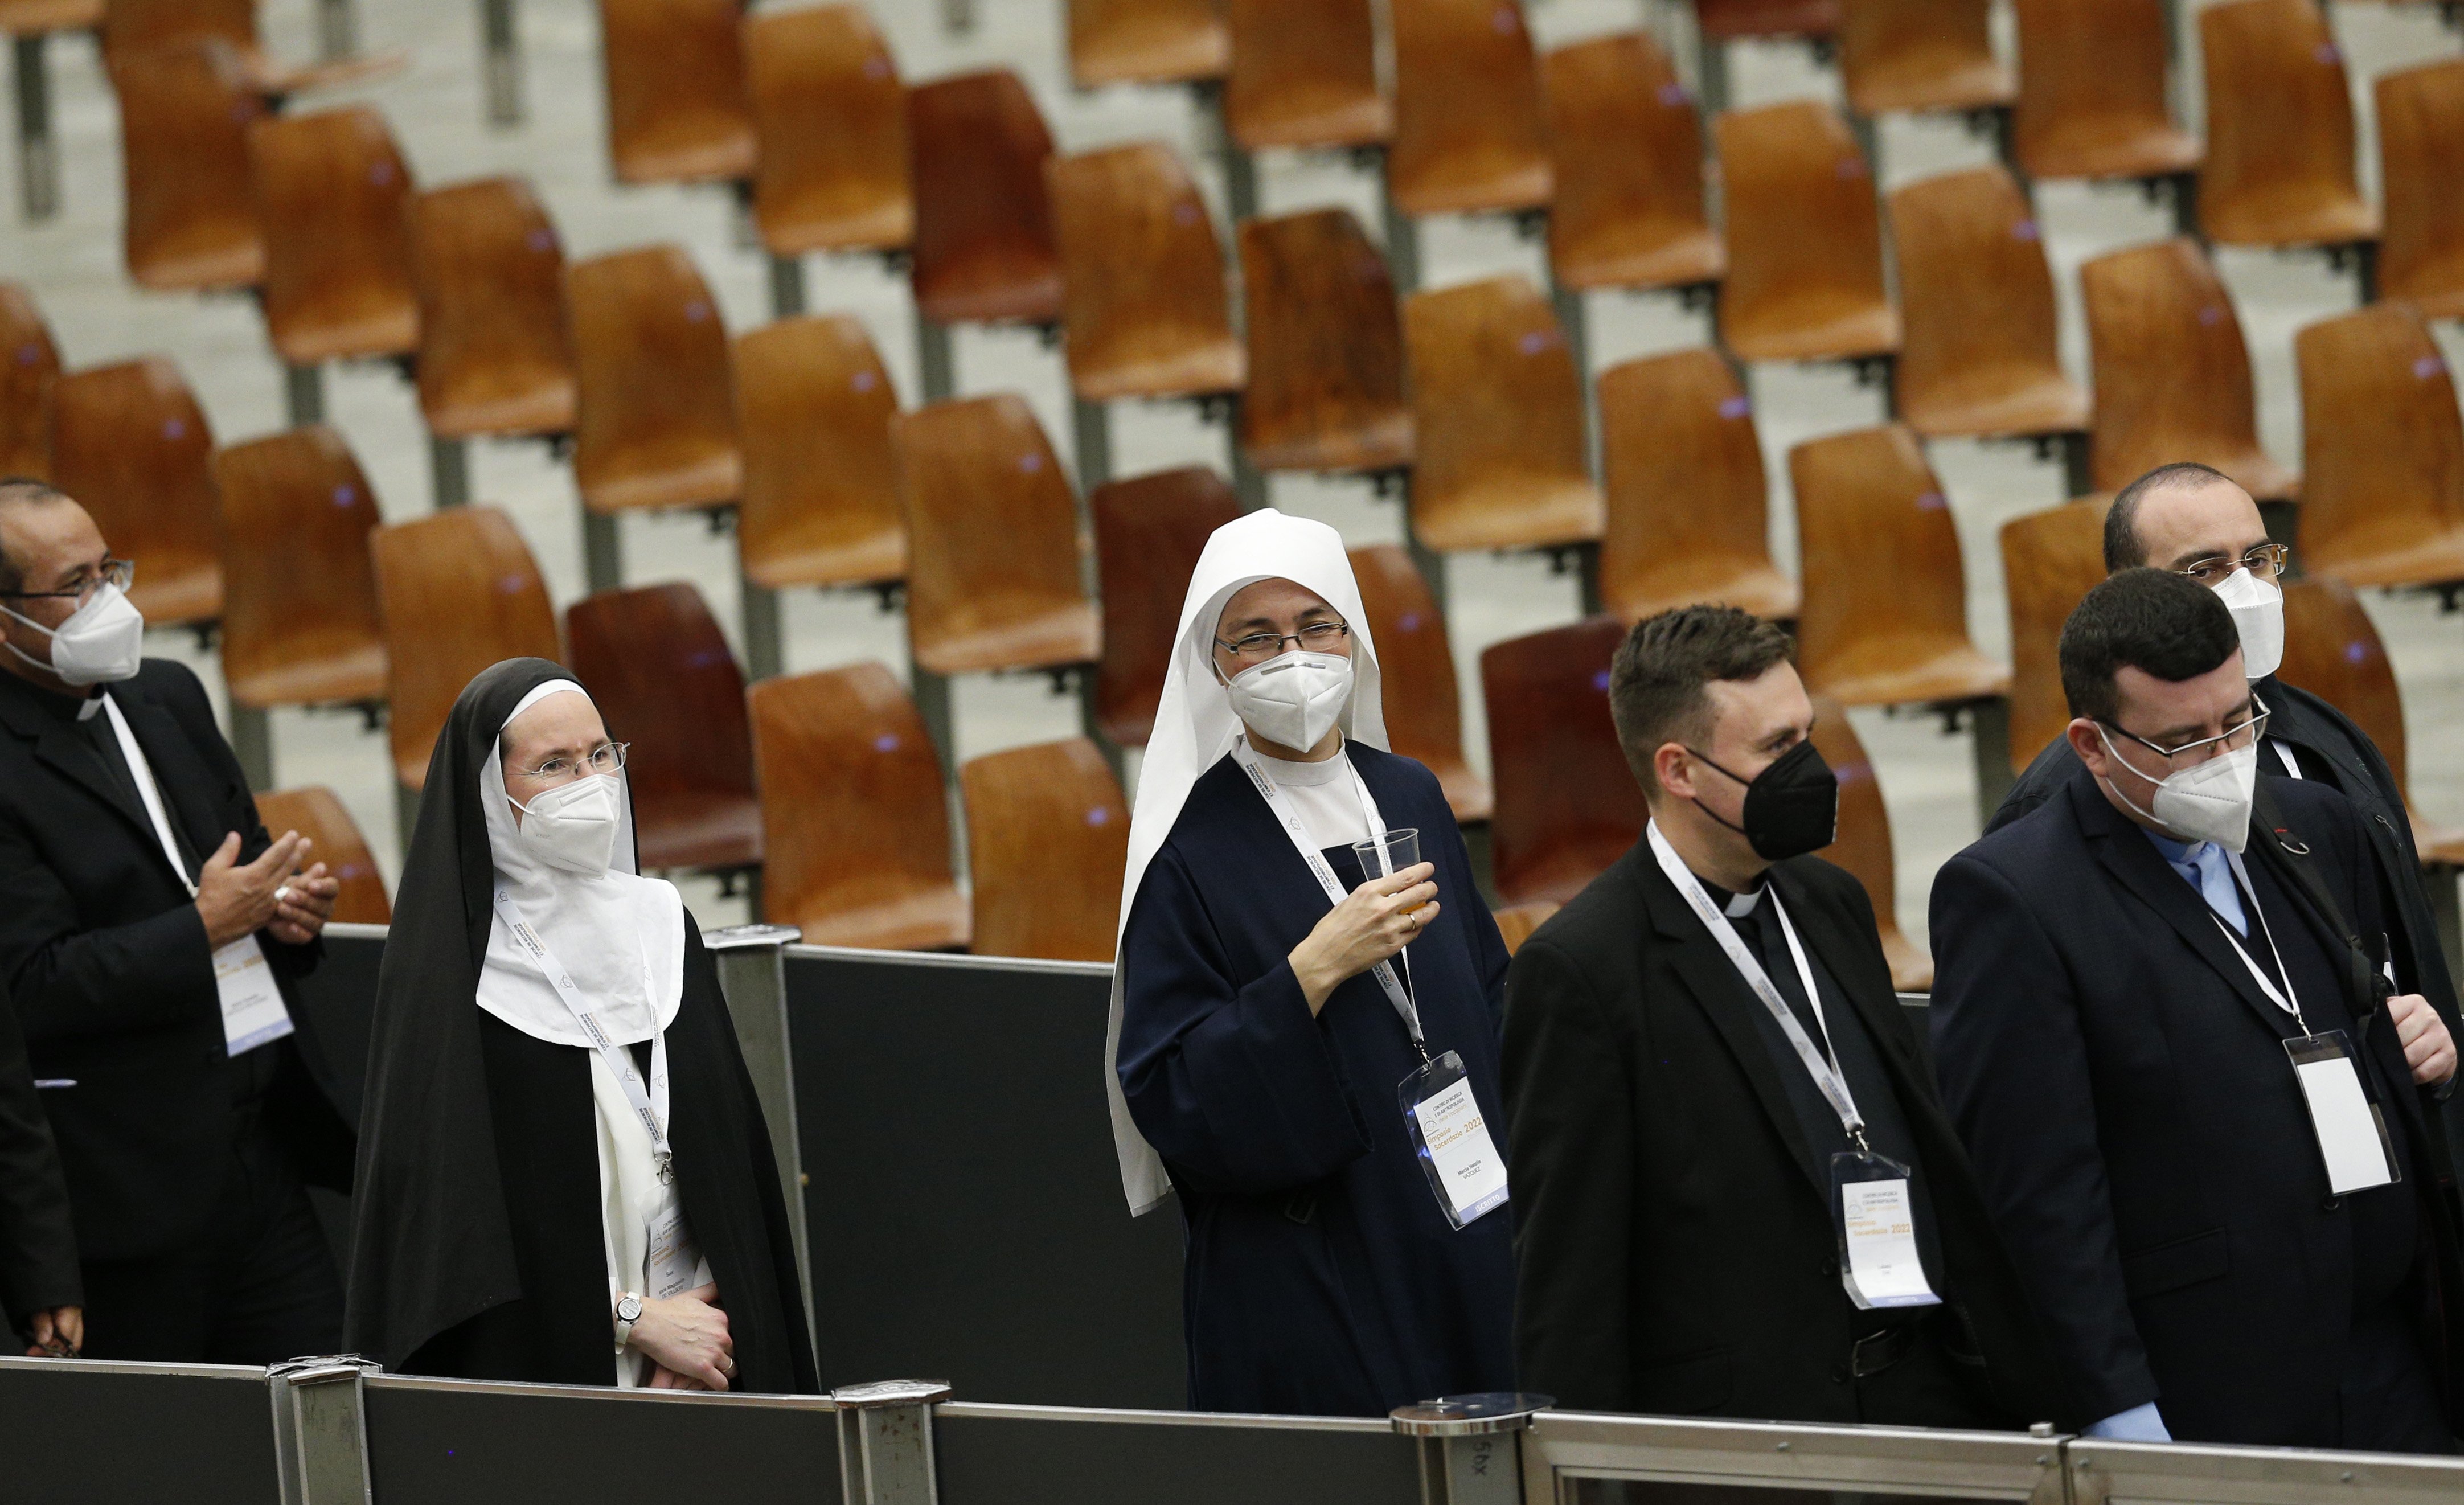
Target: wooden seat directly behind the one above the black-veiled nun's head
x,y
494,356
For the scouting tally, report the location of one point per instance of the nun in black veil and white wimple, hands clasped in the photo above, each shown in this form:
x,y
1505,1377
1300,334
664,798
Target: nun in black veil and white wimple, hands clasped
x,y
563,1166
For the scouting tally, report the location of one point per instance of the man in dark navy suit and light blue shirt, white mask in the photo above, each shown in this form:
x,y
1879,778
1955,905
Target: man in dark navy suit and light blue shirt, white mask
x,y
2199,1115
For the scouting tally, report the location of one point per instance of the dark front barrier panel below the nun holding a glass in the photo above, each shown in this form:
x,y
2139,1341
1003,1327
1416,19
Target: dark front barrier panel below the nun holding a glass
x,y
1031,1455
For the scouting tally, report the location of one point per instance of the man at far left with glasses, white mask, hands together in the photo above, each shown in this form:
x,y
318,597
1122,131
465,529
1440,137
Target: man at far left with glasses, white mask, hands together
x,y
152,935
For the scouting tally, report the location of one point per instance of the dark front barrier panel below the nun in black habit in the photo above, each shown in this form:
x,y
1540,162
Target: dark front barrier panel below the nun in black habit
x,y
450,1442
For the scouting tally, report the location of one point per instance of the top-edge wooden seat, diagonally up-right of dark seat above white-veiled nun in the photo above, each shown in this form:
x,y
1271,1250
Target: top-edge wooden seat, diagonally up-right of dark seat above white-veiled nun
x,y
1467,110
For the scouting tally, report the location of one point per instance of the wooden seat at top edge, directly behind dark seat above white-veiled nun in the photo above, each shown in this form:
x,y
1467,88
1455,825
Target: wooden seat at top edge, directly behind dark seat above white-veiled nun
x,y
1305,75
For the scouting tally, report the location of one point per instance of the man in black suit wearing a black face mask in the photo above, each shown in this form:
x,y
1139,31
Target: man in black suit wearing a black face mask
x,y
1672,1144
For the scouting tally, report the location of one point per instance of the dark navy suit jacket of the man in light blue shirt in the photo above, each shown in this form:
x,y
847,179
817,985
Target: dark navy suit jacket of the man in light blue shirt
x,y
2123,1087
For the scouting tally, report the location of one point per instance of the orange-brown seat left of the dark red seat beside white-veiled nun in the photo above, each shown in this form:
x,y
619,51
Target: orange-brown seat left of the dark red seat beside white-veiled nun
x,y
992,541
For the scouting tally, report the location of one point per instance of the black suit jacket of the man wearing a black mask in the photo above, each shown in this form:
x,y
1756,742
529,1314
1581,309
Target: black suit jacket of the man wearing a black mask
x,y
1672,1228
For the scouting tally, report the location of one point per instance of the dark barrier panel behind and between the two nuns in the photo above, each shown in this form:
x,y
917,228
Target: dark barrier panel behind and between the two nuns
x,y
965,1196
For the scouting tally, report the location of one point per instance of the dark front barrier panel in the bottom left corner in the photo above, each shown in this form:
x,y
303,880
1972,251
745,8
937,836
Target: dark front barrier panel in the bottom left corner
x,y
117,1435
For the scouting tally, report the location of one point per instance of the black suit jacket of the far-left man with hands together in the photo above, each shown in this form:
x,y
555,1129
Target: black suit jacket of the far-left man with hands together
x,y
105,957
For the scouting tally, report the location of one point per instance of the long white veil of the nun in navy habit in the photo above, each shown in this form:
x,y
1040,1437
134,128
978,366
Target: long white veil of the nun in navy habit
x,y
1196,728
